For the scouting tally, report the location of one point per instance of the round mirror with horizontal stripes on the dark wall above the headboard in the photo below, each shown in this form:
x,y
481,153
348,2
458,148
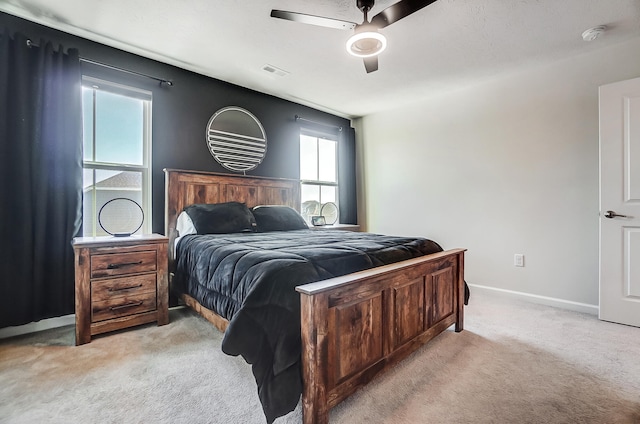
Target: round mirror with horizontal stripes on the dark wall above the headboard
x,y
236,139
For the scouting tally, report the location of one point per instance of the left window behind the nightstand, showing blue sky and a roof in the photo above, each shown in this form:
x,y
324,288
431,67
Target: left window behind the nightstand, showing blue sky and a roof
x,y
117,151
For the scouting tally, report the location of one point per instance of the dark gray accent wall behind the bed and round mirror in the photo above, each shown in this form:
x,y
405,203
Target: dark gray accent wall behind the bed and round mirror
x,y
181,113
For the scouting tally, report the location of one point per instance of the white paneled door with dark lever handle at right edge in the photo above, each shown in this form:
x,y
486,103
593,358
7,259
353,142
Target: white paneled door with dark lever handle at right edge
x,y
620,202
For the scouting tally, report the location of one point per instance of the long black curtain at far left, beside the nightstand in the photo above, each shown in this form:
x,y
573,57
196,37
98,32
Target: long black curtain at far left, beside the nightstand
x,y
41,187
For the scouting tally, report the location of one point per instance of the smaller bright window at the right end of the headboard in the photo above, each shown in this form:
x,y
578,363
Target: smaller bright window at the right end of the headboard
x,y
318,172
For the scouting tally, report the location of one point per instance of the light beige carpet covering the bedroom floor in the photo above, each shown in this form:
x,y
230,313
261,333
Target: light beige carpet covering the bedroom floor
x,y
515,362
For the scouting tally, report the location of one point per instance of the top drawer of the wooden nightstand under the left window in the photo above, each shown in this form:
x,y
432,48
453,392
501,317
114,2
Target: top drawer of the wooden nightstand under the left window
x,y
123,263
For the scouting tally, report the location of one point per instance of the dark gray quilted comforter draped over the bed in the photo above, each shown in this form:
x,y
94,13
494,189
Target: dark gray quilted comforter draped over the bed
x,y
250,279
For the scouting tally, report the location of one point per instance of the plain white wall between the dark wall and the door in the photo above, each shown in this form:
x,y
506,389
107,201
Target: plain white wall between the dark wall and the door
x,y
504,167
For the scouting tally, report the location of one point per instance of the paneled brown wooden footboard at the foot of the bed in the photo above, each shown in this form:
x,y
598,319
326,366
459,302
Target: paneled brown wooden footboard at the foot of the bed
x,y
355,326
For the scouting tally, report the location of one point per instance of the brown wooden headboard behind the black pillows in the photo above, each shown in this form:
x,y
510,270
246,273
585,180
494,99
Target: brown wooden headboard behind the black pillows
x,y
184,188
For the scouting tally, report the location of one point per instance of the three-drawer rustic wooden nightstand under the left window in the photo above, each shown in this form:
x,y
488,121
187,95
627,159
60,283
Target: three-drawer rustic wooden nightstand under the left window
x,y
120,282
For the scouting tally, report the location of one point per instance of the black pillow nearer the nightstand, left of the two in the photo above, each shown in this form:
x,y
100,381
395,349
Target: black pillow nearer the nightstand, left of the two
x,y
221,218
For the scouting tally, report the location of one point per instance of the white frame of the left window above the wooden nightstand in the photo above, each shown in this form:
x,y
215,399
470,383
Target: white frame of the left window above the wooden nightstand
x,y
145,168
